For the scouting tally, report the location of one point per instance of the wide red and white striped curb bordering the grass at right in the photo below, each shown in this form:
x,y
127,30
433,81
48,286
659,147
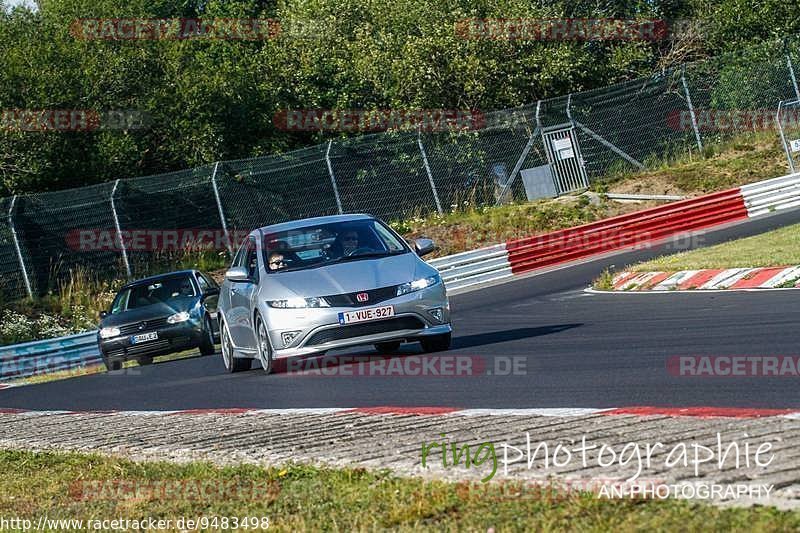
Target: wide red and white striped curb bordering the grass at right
x,y
709,279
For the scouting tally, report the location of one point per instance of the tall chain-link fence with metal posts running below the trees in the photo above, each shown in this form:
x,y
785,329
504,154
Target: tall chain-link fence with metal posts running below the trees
x,y
115,229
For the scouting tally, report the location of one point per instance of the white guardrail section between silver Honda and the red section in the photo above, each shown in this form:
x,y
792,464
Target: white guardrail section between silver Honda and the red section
x,y
473,267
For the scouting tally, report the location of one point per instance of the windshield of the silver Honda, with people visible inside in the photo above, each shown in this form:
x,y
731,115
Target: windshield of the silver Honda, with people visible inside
x,y
324,244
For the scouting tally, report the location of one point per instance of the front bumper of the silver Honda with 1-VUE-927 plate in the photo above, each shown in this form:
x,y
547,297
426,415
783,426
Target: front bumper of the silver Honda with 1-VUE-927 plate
x,y
320,330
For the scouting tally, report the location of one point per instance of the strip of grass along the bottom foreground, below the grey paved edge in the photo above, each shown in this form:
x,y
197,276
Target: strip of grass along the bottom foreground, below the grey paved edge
x,y
321,499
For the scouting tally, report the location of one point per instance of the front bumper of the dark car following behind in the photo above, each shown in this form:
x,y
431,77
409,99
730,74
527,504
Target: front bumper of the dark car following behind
x,y
172,338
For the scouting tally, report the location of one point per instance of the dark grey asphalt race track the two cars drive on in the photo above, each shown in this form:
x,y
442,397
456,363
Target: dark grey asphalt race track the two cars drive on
x,y
578,350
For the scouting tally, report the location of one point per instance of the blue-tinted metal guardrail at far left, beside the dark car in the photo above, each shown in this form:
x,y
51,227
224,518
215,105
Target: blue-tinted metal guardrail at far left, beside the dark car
x,y
51,355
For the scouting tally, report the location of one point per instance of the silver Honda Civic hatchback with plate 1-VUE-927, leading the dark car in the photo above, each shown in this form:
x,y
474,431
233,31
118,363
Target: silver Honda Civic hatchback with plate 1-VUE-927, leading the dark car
x,y
309,286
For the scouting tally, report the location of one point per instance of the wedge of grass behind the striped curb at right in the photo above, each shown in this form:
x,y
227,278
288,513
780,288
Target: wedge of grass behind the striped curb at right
x,y
780,247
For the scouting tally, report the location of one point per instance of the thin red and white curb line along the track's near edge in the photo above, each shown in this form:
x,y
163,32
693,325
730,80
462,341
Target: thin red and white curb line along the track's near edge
x,y
673,412
